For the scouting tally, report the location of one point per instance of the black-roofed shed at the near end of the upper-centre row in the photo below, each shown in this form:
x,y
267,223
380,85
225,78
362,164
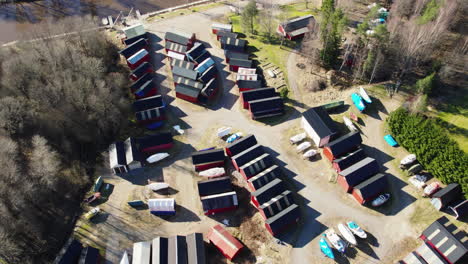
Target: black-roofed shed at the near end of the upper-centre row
x,y
266,107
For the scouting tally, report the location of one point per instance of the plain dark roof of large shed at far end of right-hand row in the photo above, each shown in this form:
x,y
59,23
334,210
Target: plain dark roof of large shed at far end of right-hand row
x,y
320,121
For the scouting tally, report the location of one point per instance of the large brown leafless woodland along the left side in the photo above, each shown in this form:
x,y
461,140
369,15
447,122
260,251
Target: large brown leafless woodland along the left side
x,y
63,100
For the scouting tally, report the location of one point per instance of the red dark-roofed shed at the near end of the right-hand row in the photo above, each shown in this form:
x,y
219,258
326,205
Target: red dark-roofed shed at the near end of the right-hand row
x,y
370,188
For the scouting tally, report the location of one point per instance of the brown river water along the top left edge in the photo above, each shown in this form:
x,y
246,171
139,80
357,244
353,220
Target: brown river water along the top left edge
x,y
16,20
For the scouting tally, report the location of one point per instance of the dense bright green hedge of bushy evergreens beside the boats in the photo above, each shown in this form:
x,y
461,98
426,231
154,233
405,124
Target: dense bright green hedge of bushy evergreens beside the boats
x,y
439,155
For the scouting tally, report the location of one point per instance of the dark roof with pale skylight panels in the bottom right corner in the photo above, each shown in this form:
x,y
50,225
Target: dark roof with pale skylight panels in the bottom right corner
x,y
448,240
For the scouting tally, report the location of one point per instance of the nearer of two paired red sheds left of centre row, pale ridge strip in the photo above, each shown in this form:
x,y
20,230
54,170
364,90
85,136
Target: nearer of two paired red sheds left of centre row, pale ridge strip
x,y
218,203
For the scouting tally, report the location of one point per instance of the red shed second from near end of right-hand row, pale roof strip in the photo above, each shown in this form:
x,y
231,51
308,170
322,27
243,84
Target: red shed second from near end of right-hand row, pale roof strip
x,y
357,173
